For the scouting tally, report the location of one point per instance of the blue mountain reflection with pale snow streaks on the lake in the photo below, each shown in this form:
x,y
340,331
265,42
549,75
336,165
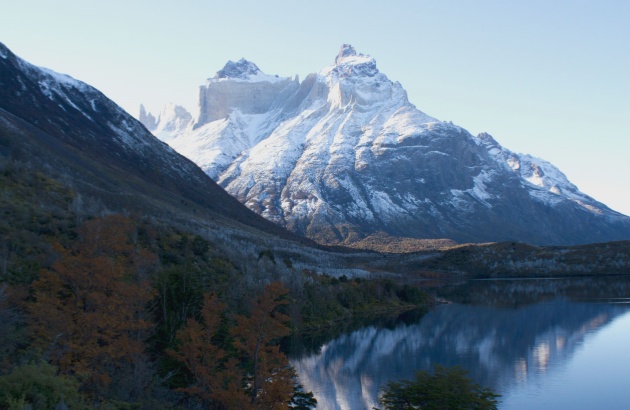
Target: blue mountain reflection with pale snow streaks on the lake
x,y
500,346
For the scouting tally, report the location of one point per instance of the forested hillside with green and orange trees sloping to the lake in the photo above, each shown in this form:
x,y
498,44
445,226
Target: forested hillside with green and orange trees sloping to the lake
x,y
101,309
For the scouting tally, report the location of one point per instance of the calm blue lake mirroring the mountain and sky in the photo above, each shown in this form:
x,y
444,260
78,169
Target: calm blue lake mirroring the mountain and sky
x,y
541,344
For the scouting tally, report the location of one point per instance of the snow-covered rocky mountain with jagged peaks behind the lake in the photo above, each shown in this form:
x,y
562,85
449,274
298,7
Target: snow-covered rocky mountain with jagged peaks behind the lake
x,y
343,155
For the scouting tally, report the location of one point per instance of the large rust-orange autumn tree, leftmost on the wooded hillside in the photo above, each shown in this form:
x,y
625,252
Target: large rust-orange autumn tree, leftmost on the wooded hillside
x,y
88,314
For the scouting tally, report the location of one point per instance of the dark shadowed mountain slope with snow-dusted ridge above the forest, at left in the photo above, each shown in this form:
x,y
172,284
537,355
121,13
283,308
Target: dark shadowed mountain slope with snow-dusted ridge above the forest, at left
x,y
74,132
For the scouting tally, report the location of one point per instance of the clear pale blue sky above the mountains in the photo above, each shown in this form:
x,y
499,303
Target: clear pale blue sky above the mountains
x,y
547,78
